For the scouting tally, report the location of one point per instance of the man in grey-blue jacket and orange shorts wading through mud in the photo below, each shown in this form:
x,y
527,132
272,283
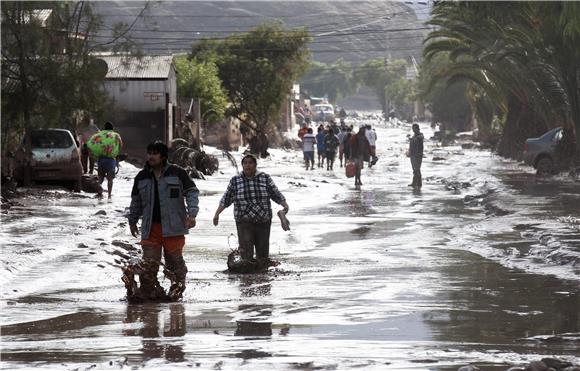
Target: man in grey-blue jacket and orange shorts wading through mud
x,y
158,197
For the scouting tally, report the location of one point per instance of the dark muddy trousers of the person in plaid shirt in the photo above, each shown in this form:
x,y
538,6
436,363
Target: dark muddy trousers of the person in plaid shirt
x,y
254,236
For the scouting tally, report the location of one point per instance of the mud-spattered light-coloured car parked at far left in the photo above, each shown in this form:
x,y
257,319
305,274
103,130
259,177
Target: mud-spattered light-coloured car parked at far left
x,y
49,155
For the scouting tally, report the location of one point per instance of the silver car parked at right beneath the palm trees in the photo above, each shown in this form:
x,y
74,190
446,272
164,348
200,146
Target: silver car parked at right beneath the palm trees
x,y
540,152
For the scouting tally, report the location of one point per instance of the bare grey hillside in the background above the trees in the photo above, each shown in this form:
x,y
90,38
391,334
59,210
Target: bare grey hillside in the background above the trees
x,y
353,31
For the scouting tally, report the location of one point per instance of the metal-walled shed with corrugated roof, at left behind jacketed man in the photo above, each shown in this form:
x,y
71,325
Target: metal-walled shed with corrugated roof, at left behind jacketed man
x,y
144,94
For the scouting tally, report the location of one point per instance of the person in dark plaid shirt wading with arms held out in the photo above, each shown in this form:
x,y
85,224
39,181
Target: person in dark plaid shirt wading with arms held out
x,y
251,192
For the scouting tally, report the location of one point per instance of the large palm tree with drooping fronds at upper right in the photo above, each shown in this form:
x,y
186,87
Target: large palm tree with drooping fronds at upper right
x,y
522,56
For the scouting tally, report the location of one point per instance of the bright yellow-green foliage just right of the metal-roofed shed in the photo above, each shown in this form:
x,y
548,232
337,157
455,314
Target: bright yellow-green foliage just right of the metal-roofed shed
x,y
200,80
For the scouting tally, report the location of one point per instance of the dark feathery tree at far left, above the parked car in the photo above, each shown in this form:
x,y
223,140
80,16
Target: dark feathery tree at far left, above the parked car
x,y
50,76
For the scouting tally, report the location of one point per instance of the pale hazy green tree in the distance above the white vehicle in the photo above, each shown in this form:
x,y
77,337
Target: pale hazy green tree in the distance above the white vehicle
x,y
334,80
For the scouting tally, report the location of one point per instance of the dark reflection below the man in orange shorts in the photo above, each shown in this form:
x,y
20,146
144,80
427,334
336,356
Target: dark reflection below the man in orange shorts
x,y
149,315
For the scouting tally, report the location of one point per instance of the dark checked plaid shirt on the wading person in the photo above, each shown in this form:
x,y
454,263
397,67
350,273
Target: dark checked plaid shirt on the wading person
x,y
251,197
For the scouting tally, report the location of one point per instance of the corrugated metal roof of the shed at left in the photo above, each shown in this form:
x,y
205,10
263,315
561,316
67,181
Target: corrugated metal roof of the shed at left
x,y
147,67
